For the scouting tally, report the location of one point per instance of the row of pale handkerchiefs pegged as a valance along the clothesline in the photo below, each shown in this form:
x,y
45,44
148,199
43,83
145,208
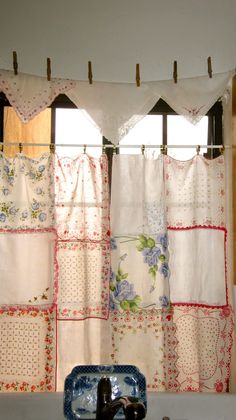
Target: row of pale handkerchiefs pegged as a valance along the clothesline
x,y
114,107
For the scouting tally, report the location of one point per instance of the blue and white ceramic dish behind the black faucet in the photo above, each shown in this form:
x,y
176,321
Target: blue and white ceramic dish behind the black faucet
x,y
80,390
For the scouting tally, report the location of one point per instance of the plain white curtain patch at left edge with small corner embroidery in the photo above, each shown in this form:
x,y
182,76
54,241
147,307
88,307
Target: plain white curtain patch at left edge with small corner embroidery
x,y
27,267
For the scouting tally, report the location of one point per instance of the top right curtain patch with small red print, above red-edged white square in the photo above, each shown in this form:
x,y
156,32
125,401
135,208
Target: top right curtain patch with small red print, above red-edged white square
x,y
195,192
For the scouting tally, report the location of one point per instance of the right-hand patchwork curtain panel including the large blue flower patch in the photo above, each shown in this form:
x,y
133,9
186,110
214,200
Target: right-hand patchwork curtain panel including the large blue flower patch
x,y
169,292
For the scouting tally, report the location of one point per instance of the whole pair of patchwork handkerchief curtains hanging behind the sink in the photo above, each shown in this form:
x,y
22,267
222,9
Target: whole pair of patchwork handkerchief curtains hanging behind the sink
x,y
149,290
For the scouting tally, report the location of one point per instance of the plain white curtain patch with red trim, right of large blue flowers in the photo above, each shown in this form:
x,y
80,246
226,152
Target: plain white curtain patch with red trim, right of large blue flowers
x,y
197,266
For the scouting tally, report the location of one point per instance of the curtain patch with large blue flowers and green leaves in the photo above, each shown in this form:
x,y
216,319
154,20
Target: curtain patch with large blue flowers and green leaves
x,y
140,273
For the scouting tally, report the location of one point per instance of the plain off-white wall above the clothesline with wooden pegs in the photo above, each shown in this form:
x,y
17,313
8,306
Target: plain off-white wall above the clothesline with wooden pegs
x,y
117,34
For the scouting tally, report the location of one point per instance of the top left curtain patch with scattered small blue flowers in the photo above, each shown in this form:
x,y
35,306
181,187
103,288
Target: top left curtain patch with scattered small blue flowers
x,y
26,193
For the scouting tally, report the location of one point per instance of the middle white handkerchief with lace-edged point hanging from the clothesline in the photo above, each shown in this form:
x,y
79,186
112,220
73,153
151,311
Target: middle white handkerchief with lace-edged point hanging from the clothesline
x,y
114,107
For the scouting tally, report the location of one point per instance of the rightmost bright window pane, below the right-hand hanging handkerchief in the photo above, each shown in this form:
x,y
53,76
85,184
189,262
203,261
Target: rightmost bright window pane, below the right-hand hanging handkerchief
x,y
182,132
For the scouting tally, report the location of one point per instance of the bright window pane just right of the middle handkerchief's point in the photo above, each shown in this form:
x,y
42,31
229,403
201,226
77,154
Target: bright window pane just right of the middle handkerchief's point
x,y
146,131
